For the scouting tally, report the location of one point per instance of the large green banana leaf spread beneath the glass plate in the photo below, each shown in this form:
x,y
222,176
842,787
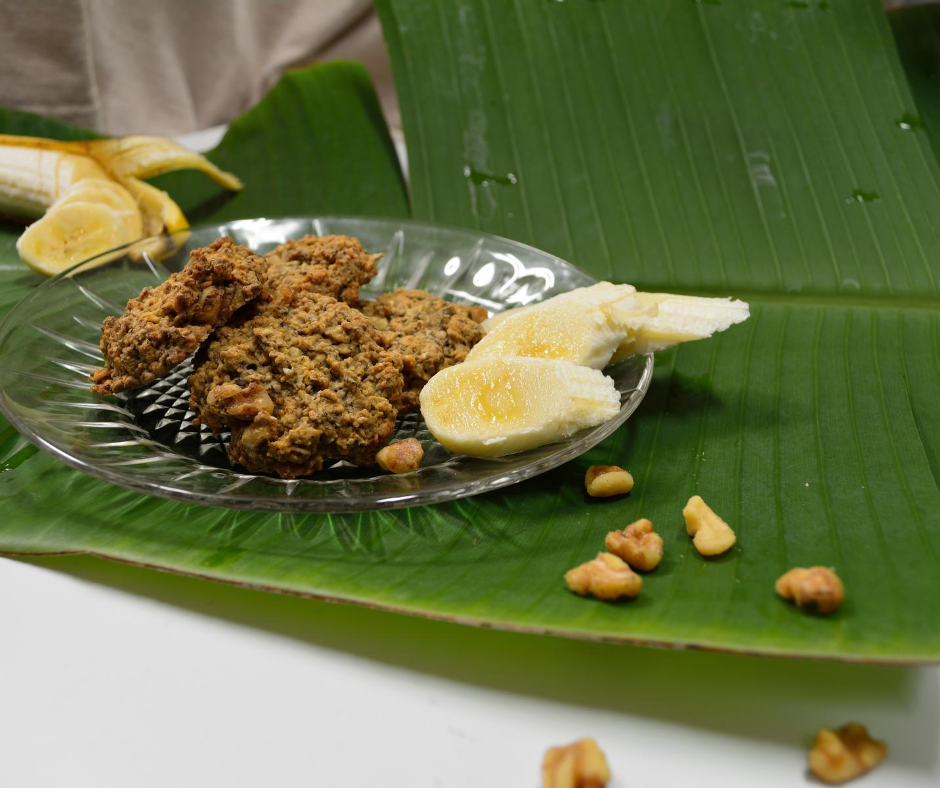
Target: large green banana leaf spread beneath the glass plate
x,y
749,149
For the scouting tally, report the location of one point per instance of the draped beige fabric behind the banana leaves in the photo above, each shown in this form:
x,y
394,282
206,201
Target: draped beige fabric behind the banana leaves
x,y
171,66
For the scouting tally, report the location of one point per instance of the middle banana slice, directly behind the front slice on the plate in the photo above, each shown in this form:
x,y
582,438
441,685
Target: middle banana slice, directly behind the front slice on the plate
x,y
584,326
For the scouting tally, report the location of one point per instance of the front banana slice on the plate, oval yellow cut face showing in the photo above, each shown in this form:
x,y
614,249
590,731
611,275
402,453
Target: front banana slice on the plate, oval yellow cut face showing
x,y
496,406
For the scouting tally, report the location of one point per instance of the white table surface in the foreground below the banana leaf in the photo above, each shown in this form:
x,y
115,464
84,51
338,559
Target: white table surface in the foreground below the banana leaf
x,y
115,676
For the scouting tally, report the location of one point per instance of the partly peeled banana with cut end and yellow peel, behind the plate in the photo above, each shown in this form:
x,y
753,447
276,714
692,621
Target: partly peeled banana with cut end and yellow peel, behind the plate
x,y
89,196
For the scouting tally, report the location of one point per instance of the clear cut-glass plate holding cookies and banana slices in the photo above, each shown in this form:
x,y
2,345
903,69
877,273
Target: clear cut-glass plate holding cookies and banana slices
x,y
145,440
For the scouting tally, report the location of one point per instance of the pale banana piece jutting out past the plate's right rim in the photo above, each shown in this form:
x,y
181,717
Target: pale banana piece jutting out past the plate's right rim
x,y
676,319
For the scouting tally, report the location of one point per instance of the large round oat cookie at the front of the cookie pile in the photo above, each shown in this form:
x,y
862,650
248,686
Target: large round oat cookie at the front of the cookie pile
x,y
298,380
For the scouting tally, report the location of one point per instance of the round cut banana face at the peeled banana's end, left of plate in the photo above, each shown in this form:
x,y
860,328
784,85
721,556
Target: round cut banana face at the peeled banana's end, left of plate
x,y
74,231
